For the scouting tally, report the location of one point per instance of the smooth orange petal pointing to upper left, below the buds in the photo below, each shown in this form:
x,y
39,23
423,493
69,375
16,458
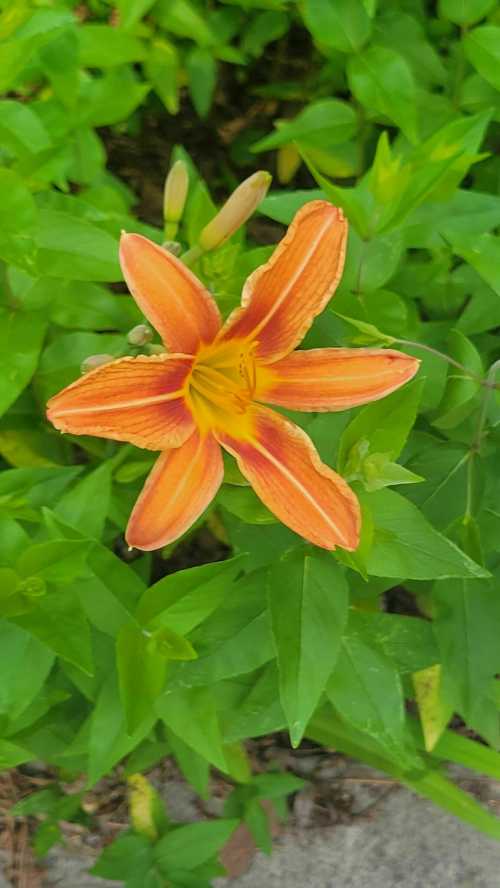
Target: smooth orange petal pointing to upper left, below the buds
x,y
172,298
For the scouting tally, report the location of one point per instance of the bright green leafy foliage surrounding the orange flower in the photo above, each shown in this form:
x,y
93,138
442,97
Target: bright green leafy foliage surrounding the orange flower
x,y
114,658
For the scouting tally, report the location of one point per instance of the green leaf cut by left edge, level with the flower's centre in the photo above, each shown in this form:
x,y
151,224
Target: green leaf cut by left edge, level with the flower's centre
x,y
20,345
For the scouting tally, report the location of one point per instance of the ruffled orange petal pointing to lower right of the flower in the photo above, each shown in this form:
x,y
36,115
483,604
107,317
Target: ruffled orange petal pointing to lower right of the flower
x,y
286,472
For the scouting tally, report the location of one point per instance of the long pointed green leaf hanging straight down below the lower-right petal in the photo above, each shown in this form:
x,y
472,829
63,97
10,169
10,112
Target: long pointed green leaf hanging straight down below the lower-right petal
x,y
308,601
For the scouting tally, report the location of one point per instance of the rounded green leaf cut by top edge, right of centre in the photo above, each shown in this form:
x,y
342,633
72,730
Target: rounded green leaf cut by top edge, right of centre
x,y
338,24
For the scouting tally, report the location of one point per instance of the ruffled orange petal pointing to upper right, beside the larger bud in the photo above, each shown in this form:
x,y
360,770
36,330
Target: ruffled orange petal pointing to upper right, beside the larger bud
x,y
281,298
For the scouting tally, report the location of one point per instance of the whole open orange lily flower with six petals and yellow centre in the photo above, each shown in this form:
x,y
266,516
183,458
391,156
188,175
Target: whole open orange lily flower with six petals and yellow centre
x,y
211,387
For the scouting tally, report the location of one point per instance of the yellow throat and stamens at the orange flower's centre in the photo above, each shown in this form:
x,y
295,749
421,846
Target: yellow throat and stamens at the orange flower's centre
x,y
222,384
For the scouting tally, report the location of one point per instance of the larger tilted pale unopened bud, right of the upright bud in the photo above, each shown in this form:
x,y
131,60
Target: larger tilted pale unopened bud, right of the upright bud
x,y
237,209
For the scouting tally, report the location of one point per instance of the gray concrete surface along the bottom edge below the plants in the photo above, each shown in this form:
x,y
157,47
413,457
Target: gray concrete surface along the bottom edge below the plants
x,y
408,843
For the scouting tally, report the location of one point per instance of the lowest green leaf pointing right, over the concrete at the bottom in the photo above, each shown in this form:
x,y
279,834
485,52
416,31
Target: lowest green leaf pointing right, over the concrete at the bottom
x,y
186,847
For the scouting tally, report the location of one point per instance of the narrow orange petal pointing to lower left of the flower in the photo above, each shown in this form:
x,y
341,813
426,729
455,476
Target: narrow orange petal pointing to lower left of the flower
x,y
181,485
